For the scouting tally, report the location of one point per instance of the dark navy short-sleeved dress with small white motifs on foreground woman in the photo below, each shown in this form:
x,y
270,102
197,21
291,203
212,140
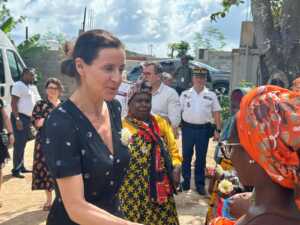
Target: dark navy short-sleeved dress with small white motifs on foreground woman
x,y
72,146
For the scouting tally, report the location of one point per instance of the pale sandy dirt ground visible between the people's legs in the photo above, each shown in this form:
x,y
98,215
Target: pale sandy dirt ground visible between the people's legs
x,y
21,206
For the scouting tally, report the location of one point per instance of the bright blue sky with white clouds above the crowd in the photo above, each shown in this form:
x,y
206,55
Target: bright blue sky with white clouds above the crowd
x,y
138,23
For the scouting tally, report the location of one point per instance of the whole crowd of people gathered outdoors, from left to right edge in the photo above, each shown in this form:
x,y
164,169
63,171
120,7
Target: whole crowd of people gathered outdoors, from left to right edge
x,y
111,169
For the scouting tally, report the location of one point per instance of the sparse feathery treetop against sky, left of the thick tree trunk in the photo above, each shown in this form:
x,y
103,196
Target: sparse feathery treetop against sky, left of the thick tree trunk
x,y
210,38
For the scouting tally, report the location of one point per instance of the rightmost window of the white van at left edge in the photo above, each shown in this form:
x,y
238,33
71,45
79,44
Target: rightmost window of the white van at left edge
x,y
15,65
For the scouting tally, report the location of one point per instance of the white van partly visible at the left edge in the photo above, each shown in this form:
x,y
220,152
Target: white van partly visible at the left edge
x,y
11,67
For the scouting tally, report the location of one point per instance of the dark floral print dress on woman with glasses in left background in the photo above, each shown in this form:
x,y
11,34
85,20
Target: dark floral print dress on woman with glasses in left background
x,y
41,179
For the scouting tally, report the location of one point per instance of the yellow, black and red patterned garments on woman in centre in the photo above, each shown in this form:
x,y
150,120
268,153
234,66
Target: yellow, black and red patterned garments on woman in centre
x,y
146,195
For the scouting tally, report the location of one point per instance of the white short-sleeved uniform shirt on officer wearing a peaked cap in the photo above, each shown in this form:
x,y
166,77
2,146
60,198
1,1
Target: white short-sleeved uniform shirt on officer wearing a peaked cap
x,y
198,108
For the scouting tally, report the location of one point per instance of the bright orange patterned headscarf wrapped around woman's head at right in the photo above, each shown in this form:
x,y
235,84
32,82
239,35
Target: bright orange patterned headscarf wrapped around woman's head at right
x,y
268,124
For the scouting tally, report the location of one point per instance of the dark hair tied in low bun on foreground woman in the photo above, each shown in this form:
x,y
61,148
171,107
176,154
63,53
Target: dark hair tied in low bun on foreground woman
x,y
87,48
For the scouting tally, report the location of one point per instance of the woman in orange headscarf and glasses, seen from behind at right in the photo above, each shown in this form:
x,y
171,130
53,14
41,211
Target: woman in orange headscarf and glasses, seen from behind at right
x,y
264,147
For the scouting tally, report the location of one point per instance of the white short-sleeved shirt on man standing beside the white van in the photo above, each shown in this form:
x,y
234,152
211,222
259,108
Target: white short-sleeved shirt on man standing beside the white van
x,y
28,96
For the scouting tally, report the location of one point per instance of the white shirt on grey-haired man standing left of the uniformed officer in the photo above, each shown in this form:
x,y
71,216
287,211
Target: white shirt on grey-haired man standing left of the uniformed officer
x,y
165,102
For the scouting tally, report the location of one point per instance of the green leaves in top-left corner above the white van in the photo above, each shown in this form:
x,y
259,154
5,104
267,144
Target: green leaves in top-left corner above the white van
x,y
7,21
